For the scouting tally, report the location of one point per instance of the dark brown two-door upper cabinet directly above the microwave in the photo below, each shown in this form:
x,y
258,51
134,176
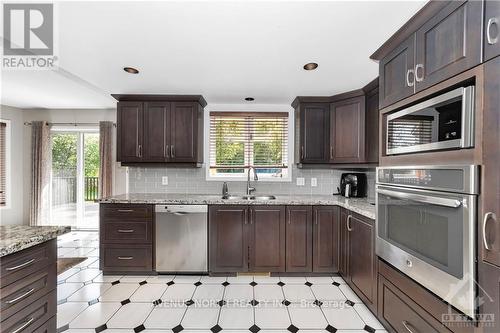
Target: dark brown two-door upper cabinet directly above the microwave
x,y
442,40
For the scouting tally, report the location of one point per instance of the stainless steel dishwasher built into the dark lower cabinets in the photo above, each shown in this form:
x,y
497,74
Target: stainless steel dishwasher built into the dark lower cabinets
x,y
181,238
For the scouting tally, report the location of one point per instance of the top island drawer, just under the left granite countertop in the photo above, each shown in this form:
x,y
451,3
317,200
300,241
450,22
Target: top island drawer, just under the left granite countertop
x,y
15,267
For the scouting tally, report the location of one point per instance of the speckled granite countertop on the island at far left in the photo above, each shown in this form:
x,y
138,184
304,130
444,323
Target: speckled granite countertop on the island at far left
x,y
19,237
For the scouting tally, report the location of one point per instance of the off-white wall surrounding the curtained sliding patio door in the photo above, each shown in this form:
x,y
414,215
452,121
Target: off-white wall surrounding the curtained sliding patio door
x,y
66,116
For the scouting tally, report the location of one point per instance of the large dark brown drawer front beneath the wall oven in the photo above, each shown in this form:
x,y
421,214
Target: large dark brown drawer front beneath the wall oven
x,y
405,306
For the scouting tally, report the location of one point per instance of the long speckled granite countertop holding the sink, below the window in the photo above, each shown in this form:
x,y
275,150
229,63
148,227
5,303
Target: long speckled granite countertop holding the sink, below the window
x,y
361,206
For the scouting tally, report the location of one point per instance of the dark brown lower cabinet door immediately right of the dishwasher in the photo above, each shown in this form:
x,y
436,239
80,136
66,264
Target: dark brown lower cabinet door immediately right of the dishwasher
x,y
228,251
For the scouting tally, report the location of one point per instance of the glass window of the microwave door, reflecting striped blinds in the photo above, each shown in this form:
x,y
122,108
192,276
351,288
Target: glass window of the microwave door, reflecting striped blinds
x,y
409,131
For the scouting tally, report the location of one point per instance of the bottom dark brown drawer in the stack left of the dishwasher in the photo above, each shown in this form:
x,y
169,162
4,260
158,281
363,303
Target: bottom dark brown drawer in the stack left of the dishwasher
x,y
132,258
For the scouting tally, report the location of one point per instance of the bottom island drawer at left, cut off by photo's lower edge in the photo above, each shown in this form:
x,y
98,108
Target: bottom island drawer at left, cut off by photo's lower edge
x,y
32,316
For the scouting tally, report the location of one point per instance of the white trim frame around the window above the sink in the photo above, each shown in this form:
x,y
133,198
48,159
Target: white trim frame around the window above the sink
x,y
243,108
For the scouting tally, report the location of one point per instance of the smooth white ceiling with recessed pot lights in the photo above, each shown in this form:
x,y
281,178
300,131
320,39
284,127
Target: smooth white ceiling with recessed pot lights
x,y
225,51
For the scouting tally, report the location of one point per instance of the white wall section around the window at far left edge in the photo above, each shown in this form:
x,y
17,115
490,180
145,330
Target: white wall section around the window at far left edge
x,y
13,213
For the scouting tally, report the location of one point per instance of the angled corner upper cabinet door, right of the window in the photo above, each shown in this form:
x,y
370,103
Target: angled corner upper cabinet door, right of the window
x,y
347,131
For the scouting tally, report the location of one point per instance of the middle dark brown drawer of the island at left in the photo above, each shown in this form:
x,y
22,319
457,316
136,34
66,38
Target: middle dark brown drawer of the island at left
x,y
21,293
